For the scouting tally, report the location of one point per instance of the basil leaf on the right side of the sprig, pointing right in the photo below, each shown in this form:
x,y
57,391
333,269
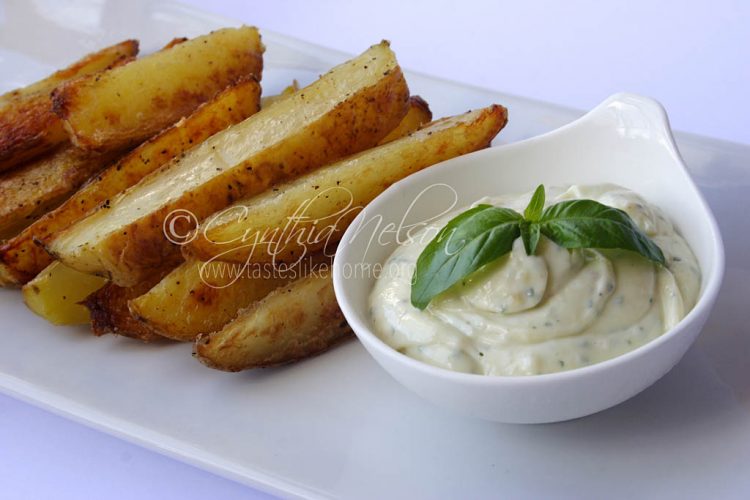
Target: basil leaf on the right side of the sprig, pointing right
x,y
589,224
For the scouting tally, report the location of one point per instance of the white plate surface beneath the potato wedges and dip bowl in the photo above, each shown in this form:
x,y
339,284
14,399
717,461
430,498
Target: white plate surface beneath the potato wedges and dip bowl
x,y
337,425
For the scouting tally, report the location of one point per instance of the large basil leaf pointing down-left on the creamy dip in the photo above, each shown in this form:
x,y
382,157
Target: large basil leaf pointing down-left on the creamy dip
x,y
468,242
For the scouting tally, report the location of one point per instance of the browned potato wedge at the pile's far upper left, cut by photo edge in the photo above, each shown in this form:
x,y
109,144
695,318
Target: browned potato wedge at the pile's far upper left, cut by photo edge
x,y
28,125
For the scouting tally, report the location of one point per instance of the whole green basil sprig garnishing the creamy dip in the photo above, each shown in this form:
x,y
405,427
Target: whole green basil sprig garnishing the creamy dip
x,y
485,233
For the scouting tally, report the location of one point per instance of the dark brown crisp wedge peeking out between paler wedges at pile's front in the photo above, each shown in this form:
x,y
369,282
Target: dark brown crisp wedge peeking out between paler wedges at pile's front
x,y
108,307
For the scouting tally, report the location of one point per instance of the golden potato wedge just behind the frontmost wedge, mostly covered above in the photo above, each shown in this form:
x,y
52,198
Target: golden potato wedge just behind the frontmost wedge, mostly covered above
x,y
199,297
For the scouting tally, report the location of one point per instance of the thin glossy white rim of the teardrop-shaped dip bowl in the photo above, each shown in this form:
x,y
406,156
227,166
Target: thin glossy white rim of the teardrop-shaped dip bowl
x,y
709,289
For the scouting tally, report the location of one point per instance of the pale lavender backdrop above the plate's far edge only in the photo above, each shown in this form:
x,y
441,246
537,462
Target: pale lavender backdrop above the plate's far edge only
x,y
692,56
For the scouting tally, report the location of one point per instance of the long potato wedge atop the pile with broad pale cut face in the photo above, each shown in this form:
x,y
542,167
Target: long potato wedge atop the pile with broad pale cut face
x,y
347,110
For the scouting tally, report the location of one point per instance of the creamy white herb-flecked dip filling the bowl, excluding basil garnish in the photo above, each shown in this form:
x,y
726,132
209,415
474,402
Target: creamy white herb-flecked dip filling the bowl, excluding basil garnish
x,y
558,310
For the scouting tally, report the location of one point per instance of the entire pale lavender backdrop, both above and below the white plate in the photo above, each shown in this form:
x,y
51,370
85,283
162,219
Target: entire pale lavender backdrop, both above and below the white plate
x,y
693,57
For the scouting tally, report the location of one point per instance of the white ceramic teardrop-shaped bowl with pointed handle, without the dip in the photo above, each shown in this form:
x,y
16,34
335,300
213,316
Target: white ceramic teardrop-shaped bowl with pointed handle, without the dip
x,y
626,140
